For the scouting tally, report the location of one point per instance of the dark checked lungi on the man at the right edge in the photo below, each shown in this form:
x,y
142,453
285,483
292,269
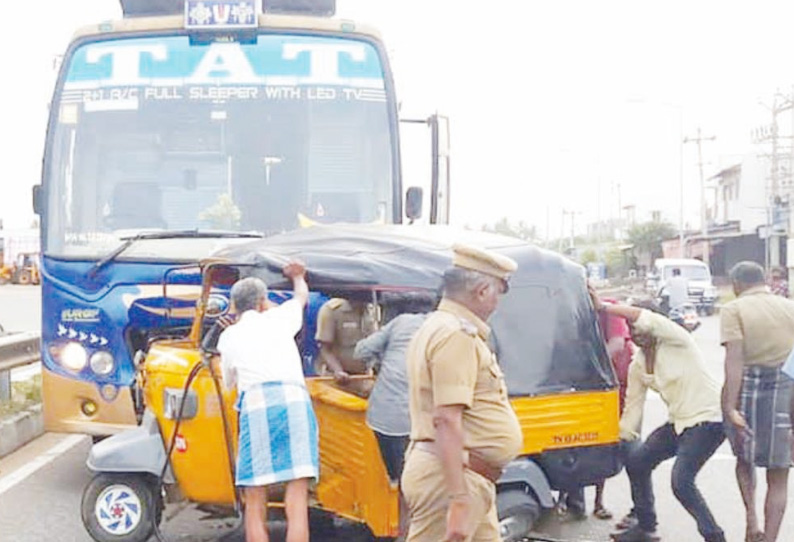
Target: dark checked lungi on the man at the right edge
x,y
765,403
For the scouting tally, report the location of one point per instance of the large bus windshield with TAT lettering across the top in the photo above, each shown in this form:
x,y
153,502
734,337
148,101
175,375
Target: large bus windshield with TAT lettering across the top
x,y
164,133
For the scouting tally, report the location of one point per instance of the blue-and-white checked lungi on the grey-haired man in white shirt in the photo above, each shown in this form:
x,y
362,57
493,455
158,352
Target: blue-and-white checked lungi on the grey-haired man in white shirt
x,y
277,435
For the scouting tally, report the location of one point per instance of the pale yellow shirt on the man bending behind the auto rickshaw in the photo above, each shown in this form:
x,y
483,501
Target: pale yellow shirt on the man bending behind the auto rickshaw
x,y
680,376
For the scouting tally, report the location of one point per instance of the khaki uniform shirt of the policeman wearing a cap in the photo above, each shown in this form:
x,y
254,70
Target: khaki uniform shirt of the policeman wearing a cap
x,y
449,363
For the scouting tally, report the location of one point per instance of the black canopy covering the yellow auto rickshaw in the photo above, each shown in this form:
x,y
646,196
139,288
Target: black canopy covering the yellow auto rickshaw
x,y
545,331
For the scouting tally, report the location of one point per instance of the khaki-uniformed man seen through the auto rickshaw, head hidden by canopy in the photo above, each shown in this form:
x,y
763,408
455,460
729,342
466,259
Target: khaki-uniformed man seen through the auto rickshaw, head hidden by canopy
x,y
341,323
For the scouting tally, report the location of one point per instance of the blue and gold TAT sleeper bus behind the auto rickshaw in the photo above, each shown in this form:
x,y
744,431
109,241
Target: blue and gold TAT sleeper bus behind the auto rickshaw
x,y
183,128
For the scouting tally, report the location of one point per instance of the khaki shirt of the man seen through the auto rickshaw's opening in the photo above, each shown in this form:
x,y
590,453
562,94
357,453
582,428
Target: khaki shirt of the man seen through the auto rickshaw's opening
x,y
341,325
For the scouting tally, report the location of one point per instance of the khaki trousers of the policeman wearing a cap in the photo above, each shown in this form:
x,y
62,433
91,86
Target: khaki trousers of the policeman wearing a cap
x,y
427,497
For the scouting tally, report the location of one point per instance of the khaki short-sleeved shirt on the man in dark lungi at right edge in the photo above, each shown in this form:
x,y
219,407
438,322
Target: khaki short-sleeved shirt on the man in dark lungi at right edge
x,y
764,322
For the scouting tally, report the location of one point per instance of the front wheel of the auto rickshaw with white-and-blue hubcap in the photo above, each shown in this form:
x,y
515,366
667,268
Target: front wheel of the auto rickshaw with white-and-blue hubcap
x,y
120,507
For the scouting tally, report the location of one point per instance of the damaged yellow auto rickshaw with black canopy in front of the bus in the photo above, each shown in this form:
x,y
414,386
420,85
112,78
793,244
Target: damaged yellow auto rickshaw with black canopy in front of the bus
x,y
545,333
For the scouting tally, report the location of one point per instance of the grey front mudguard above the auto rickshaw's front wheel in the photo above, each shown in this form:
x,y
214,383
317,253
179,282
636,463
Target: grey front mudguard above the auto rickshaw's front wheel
x,y
139,449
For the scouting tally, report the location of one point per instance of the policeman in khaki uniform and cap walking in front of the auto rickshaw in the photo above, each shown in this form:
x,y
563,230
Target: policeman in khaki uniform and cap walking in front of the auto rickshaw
x,y
464,431
